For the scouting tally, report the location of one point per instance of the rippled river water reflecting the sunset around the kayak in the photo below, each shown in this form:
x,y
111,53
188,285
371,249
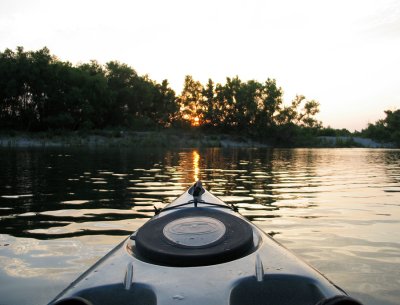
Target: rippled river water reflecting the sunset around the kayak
x,y
61,209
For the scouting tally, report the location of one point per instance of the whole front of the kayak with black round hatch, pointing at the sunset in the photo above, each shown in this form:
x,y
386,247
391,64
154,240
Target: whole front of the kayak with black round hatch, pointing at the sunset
x,y
200,250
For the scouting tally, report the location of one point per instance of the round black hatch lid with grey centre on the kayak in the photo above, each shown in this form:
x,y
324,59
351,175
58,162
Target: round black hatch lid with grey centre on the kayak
x,y
194,237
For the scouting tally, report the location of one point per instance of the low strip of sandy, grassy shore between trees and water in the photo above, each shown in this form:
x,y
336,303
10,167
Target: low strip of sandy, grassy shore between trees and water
x,y
181,139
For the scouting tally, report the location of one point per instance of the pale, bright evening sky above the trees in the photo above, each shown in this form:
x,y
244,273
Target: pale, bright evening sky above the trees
x,y
345,54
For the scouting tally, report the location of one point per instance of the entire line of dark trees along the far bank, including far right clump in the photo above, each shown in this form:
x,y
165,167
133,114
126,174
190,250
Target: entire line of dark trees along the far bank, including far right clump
x,y
39,92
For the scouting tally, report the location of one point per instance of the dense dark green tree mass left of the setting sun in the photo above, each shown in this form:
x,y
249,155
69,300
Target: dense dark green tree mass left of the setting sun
x,y
39,92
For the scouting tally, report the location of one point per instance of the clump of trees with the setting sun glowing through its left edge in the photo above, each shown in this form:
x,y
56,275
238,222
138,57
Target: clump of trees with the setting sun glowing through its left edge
x,y
252,107
